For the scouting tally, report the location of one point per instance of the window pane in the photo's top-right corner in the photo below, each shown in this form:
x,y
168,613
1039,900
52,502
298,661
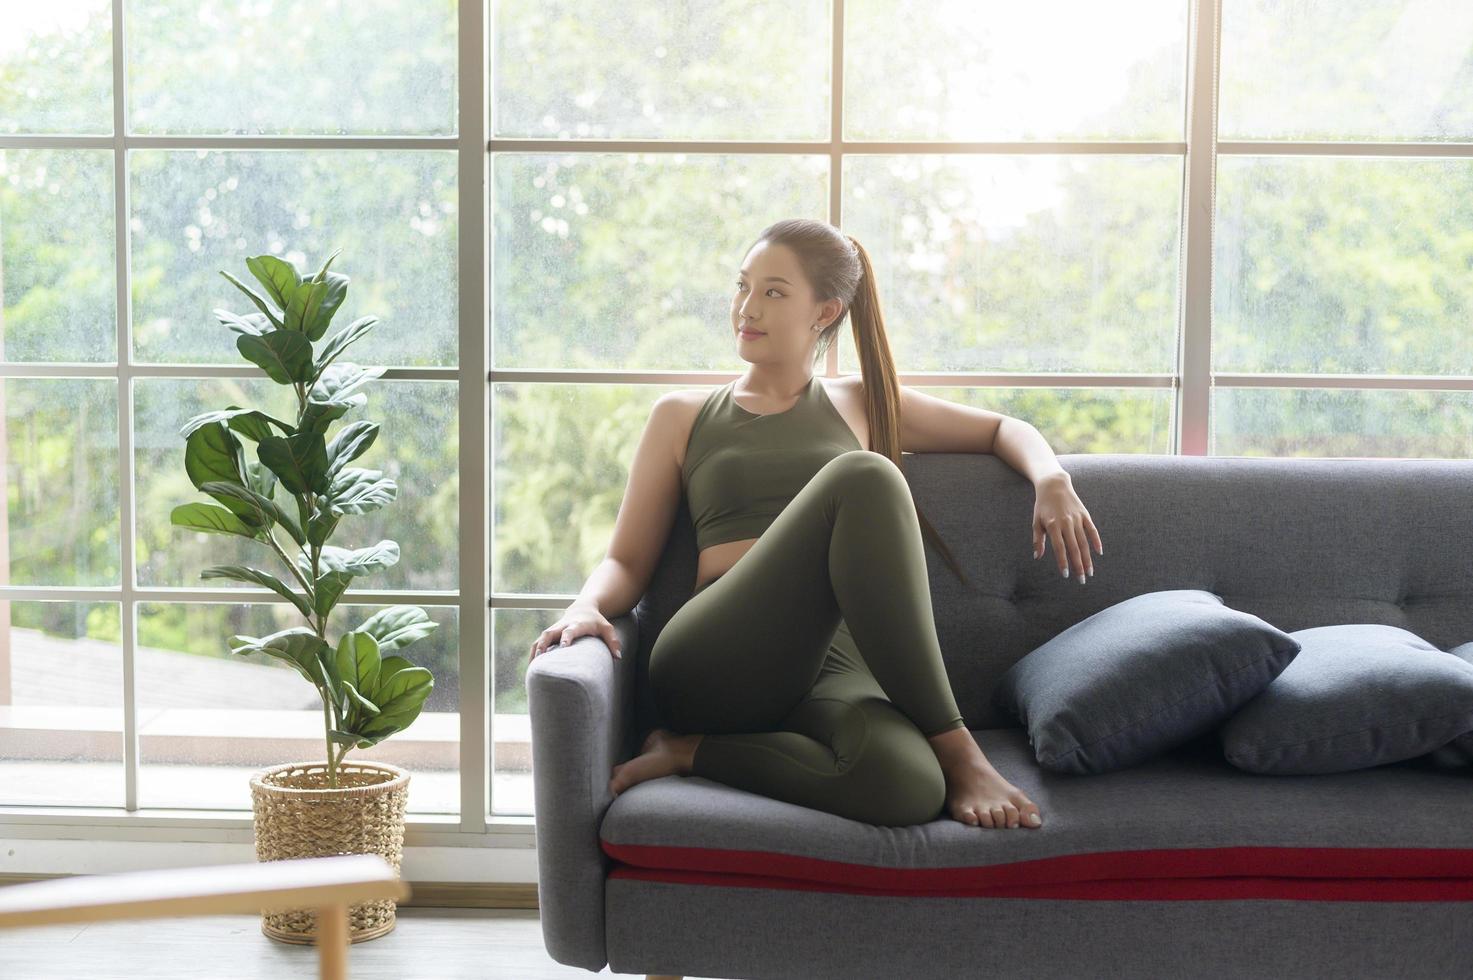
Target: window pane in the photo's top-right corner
x,y
1347,70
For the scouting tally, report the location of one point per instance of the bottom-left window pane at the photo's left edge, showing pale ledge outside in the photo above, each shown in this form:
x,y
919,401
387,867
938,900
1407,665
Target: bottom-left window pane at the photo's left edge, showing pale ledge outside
x,y
61,705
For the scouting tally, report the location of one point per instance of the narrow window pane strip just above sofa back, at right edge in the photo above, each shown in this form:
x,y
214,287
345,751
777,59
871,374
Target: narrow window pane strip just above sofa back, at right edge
x,y
1279,422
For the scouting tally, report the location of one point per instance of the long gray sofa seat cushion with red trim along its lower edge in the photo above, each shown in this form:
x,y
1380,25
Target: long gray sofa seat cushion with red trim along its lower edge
x,y
1184,826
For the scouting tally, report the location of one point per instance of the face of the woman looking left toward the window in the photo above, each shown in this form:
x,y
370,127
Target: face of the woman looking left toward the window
x,y
774,301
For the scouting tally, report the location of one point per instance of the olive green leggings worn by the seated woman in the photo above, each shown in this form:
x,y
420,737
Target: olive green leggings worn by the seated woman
x,y
786,661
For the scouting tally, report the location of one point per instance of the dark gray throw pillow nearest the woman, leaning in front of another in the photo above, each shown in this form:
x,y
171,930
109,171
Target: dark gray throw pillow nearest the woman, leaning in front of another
x,y
1139,679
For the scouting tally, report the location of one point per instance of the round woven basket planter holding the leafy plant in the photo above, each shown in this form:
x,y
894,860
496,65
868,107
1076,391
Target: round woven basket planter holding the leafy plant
x,y
298,816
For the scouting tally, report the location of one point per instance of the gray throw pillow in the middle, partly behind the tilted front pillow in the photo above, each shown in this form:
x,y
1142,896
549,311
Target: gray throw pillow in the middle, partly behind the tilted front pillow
x,y
1357,696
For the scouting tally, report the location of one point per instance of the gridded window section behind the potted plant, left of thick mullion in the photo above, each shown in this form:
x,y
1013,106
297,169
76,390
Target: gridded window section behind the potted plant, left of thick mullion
x,y
145,147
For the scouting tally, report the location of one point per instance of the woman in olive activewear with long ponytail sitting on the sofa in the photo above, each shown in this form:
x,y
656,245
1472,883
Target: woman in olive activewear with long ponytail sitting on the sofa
x,y
806,665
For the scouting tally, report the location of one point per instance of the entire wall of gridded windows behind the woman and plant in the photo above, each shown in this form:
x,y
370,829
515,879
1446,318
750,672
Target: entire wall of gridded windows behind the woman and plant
x,y
1154,226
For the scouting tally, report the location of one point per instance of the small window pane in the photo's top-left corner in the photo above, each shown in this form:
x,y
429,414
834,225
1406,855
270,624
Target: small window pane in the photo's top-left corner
x,y
57,67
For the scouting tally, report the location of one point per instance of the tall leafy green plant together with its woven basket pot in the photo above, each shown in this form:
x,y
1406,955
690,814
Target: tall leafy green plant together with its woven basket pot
x,y
289,494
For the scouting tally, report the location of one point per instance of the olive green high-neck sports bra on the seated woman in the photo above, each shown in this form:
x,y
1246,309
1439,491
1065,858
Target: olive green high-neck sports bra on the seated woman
x,y
742,469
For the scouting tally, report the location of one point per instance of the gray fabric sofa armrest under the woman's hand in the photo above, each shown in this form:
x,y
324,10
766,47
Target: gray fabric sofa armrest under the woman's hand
x,y
583,714
